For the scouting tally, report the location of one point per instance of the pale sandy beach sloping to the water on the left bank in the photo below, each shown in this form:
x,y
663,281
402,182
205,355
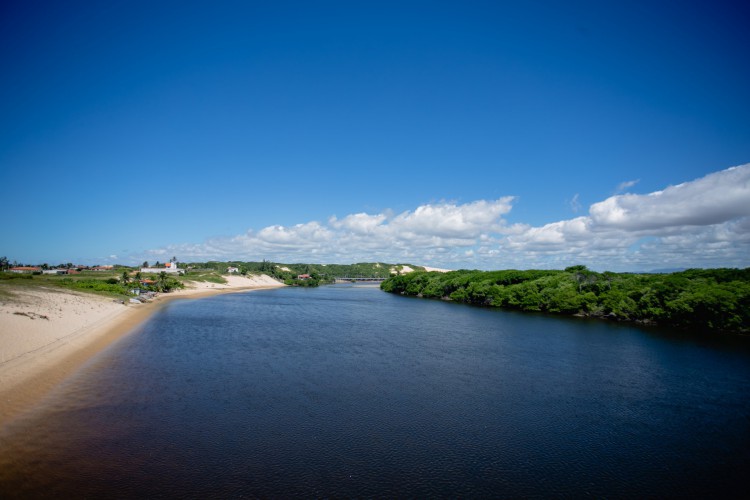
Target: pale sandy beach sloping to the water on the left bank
x,y
47,334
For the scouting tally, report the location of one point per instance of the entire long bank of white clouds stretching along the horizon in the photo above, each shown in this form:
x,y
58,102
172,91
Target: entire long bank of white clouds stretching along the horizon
x,y
701,223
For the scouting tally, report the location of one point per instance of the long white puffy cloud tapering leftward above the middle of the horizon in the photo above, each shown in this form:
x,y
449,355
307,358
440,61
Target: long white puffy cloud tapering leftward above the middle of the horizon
x,y
431,231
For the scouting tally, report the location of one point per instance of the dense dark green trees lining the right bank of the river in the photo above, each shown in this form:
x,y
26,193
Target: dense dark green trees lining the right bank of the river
x,y
712,299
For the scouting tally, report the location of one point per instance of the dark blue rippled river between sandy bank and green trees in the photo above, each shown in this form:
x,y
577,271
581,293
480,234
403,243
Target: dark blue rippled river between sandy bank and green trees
x,y
352,392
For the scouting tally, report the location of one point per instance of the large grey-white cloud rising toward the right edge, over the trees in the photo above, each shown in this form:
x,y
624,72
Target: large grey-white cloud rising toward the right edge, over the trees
x,y
703,222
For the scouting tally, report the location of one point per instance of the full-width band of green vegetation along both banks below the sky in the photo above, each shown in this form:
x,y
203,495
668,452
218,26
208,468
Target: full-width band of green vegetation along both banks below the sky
x,y
709,299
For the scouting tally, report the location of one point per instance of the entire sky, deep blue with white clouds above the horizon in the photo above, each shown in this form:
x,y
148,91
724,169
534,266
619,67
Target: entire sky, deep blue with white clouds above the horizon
x,y
449,134
